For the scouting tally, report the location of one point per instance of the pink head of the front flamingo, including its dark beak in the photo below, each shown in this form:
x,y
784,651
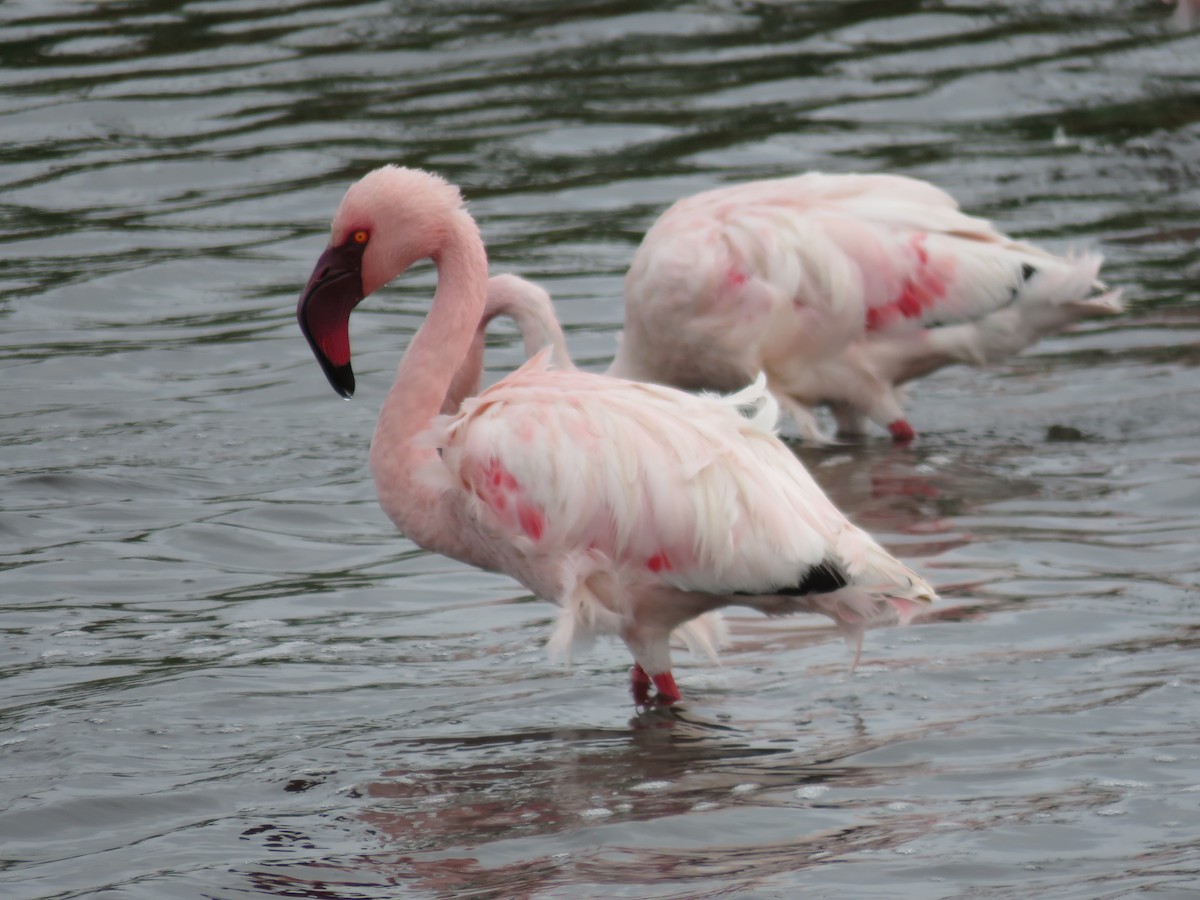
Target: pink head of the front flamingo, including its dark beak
x,y
387,221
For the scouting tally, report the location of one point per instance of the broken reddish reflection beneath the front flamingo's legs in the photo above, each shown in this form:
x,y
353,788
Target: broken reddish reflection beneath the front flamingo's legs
x,y
668,764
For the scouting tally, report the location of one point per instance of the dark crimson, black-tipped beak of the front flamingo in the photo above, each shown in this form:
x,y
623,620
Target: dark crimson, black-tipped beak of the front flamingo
x,y
333,291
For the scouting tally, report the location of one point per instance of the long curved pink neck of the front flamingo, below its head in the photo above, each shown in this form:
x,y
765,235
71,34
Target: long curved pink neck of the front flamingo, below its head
x,y
425,374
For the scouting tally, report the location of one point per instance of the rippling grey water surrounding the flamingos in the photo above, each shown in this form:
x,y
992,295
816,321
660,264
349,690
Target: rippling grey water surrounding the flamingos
x,y
225,676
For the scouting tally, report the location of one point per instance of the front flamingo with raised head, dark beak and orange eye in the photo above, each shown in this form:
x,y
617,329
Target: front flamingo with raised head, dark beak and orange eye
x,y
635,508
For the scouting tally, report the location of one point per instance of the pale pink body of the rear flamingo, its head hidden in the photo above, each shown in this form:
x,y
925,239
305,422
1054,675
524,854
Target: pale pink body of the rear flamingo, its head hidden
x,y
841,289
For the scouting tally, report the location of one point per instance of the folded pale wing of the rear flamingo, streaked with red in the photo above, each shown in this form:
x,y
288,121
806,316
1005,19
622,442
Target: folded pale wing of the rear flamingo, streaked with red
x,y
844,255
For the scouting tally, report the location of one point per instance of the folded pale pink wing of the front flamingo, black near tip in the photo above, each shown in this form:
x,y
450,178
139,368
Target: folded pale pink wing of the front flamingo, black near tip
x,y
674,490
